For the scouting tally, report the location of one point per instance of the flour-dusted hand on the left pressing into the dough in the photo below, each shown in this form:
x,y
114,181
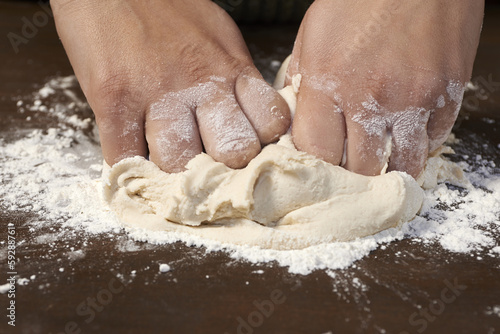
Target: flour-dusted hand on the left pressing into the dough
x,y
167,79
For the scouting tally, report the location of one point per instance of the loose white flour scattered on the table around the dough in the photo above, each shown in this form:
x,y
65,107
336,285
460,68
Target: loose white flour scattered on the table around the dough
x,y
54,175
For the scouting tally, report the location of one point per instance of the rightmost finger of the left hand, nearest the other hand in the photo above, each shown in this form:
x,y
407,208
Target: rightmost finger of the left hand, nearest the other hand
x,y
263,106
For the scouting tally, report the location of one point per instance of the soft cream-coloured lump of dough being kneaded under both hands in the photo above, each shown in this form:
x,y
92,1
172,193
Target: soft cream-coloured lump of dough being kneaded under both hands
x,y
283,199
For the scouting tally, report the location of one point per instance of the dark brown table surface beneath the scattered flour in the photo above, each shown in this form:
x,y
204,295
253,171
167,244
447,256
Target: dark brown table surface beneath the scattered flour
x,y
185,300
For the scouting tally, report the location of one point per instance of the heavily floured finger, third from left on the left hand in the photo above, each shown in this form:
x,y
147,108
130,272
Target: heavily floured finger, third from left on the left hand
x,y
227,135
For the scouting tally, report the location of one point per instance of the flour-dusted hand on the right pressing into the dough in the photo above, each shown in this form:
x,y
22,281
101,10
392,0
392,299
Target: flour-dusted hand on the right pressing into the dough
x,y
382,81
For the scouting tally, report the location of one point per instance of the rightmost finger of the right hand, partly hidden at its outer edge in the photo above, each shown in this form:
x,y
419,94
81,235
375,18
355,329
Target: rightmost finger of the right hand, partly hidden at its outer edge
x,y
444,115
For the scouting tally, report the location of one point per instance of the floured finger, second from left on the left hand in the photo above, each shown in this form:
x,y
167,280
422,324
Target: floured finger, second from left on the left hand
x,y
172,135
